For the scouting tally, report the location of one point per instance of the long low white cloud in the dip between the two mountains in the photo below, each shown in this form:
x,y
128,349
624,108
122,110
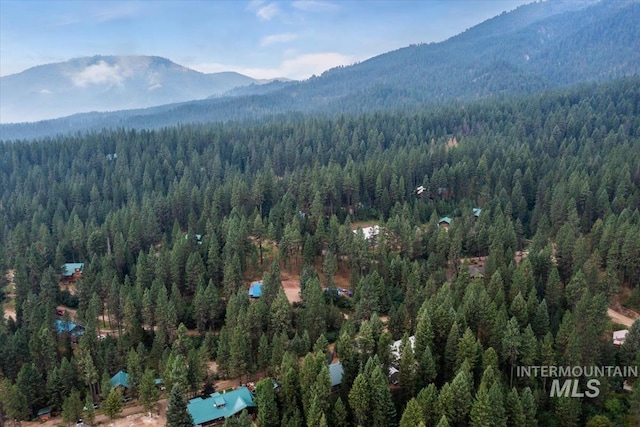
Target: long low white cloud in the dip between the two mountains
x,y
299,68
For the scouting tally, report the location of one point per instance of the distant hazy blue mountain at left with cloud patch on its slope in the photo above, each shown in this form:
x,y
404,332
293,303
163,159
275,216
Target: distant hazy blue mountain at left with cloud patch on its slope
x,y
106,83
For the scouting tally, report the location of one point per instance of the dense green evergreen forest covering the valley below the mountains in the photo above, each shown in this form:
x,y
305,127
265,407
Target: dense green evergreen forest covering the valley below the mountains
x,y
173,224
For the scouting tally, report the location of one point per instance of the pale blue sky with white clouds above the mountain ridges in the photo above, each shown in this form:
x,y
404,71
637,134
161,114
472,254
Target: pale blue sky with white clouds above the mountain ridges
x,y
263,39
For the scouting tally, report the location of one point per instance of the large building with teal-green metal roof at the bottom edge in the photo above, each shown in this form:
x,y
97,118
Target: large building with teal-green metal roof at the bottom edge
x,y
219,406
